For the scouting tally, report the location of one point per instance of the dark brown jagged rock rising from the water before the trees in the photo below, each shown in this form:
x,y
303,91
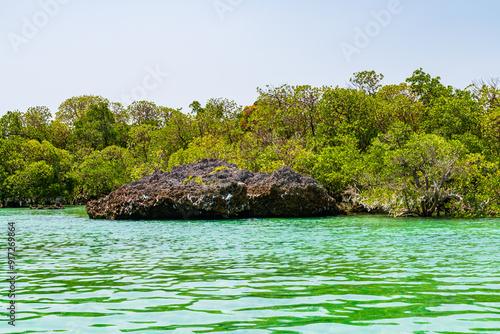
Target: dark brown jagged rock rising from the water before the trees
x,y
213,189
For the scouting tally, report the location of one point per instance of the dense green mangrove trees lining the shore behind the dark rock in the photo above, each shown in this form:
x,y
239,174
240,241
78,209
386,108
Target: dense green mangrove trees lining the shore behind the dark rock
x,y
418,148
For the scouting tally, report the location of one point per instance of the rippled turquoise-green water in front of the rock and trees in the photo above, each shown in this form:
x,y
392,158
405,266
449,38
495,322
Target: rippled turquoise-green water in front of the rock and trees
x,y
363,274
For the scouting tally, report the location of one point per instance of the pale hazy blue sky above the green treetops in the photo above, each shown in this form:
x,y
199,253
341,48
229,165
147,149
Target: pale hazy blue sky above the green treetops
x,y
174,52
